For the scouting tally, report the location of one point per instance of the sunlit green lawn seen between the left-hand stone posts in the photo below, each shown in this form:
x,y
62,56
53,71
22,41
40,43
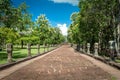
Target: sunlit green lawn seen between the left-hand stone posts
x,y
20,53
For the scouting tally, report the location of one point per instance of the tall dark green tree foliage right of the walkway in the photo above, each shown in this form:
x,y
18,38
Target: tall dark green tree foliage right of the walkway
x,y
96,22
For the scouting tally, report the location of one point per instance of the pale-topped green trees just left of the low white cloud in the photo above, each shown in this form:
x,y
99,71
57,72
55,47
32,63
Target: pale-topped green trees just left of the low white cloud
x,y
46,33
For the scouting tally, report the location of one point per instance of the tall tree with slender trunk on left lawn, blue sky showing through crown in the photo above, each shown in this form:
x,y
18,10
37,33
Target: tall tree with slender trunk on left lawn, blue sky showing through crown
x,y
24,22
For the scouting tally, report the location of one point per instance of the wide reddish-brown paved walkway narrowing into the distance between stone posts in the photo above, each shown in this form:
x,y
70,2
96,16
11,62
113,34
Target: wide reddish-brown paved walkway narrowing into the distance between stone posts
x,y
61,64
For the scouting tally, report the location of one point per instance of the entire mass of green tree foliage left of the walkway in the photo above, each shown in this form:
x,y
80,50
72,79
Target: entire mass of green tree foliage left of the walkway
x,y
16,26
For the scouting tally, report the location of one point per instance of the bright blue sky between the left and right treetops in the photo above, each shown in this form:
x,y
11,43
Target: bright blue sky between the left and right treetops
x,y
57,11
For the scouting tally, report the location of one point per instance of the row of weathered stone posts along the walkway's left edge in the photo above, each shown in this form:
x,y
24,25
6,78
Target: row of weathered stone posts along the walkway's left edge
x,y
9,48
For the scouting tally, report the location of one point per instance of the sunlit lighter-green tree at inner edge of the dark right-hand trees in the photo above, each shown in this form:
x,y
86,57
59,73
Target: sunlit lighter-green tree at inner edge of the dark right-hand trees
x,y
73,32
